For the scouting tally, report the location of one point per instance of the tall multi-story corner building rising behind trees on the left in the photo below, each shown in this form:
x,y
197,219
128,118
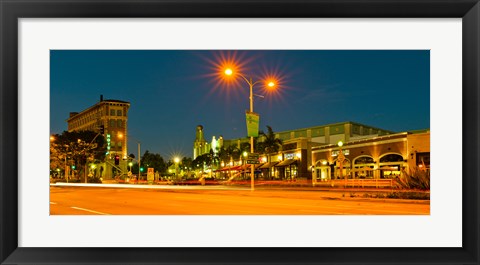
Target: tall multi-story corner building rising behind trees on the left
x,y
112,114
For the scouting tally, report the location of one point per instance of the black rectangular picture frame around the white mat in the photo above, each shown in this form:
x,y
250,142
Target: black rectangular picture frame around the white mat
x,y
12,10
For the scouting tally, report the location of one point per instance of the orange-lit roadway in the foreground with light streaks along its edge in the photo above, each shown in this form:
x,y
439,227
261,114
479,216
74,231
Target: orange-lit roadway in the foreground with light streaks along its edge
x,y
221,201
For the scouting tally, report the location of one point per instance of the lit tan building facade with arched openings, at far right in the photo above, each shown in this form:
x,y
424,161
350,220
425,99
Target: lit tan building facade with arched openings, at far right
x,y
387,156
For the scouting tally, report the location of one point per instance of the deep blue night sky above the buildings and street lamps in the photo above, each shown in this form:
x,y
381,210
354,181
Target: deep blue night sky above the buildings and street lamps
x,y
171,92
